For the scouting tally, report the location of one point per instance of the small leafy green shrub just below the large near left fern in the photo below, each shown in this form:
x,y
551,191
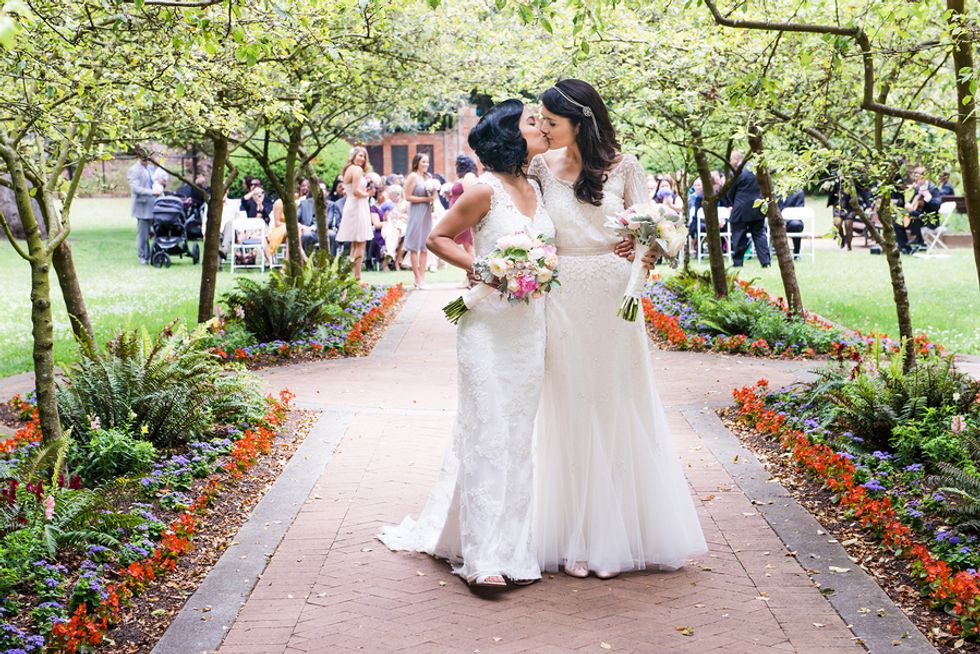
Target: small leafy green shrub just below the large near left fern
x,y
109,454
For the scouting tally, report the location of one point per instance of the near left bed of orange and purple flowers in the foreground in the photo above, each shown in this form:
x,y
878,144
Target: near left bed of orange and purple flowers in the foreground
x,y
67,604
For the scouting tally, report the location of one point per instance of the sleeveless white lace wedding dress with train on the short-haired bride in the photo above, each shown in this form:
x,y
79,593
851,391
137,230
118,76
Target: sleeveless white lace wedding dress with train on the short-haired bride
x,y
479,513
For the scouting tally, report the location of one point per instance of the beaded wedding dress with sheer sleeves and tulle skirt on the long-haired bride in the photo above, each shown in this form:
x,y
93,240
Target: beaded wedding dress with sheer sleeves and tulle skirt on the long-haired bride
x,y
609,489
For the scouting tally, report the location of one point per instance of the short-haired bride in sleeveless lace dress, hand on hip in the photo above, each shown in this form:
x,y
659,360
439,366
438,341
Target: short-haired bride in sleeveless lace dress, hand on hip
x,y
479,513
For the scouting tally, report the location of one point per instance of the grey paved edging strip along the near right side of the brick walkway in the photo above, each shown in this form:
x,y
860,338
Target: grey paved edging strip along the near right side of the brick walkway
x,y
798,530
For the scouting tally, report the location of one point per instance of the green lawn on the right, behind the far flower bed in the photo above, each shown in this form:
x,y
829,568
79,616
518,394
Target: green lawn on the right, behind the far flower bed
x,y
853,288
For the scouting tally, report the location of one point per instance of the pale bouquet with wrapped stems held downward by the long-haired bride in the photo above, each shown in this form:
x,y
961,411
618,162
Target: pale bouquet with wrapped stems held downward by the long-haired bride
x,y
653,228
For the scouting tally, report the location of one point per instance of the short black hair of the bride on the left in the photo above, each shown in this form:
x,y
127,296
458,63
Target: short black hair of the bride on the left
x,y
498,141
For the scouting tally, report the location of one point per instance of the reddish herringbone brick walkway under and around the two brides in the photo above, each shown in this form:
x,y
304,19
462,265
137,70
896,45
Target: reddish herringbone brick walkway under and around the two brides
x,y
330,587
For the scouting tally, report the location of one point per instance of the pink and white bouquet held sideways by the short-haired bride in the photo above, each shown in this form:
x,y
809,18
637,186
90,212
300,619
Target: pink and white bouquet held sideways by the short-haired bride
x,y
520,268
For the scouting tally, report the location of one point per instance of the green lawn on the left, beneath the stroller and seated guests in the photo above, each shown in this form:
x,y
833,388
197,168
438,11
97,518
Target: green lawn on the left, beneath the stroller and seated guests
x,y
119,292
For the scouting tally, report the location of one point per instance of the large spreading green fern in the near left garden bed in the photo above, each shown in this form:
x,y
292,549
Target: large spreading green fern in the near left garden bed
x,y
162,390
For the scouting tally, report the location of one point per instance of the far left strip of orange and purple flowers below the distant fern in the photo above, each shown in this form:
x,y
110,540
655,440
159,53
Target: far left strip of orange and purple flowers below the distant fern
x,y
346,337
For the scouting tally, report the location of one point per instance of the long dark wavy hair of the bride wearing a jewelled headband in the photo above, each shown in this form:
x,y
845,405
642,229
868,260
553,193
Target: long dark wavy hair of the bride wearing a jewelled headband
x,y
596,142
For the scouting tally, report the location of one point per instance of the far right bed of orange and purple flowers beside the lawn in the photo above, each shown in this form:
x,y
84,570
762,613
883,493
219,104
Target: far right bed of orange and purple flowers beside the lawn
x,y
675,321
